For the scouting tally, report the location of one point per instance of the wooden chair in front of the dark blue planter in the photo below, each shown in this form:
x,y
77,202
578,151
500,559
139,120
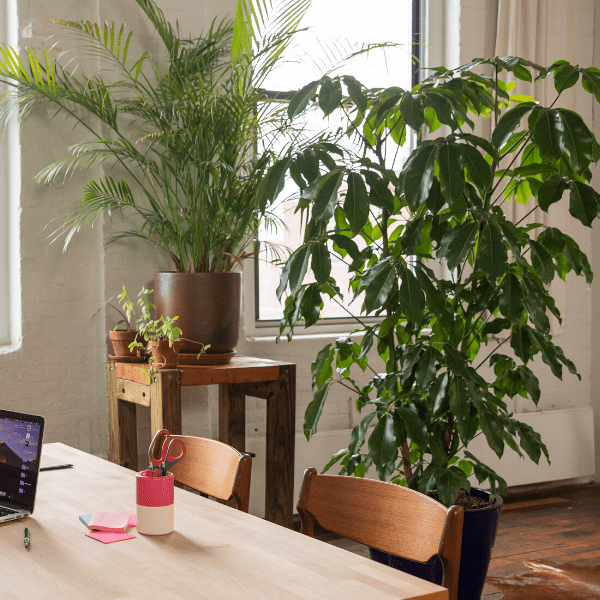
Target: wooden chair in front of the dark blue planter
x,y
384,516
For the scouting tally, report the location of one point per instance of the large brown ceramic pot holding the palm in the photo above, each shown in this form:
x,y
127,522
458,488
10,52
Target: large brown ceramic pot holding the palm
x,y
208,307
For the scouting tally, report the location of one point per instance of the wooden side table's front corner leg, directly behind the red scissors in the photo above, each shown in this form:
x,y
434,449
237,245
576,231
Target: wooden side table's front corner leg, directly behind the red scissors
x,y
165,401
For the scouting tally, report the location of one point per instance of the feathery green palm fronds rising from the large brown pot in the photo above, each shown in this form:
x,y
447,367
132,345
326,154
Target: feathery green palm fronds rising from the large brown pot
x,y
181,129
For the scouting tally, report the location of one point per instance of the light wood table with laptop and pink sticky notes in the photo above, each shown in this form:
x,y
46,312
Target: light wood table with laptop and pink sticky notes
x,y
215,552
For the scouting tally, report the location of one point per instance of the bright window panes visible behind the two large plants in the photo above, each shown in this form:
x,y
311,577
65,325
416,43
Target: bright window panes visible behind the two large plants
x,y
335,28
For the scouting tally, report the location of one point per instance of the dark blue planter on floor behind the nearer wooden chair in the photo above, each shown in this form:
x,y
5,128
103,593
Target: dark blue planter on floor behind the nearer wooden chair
x,y
479,534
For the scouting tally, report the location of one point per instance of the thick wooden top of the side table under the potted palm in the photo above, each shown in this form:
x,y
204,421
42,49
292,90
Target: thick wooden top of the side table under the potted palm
x,y
241,369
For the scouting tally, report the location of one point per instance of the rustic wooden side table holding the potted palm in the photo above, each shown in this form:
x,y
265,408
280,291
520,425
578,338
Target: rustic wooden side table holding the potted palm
x,y
273,381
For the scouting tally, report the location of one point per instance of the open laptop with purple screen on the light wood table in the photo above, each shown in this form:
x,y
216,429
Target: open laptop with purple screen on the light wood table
x,y
20,453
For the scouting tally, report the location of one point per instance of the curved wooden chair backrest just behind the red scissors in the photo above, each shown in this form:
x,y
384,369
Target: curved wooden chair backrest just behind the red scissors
x,y
215,469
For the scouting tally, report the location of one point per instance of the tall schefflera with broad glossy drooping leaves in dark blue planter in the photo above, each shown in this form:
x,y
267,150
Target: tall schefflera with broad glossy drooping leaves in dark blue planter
x,y
443,339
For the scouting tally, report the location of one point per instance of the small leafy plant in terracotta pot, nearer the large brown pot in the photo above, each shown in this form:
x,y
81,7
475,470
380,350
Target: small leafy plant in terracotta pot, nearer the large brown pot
x,y
160,334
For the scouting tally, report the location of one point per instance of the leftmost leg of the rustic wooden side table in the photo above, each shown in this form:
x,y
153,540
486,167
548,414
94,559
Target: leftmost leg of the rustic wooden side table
x,y
122,425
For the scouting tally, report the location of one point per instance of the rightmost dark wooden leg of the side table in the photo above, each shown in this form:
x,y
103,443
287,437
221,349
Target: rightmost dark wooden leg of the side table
x,y
281,438
